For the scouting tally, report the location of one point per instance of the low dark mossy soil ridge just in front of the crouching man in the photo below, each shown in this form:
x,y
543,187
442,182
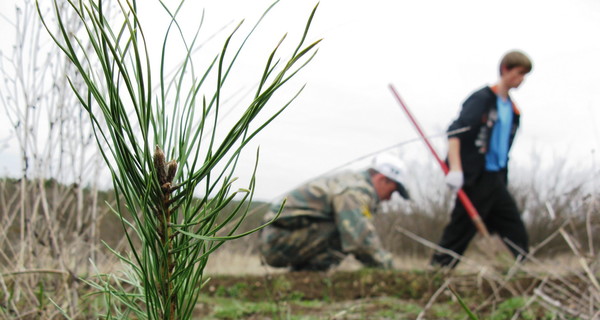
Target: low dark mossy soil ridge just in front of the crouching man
x,y
352,285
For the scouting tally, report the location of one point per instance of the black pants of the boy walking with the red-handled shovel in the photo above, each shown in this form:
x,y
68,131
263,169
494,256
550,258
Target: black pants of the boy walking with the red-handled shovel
x,y
498,210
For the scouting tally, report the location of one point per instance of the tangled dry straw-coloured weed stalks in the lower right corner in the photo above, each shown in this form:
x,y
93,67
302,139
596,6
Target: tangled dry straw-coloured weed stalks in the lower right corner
x,y
571,293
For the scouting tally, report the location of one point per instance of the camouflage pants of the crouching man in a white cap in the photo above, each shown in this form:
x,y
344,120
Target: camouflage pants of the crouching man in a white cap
x,y
315,246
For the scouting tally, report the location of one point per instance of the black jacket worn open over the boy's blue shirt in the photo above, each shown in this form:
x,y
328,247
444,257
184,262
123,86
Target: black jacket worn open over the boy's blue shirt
x,y
479,113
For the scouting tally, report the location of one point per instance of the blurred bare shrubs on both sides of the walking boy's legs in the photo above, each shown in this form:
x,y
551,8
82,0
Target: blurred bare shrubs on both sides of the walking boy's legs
x,y
548,198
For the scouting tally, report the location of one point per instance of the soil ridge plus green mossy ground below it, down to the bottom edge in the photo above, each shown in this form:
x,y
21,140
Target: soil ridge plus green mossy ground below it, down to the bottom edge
x,y
374,294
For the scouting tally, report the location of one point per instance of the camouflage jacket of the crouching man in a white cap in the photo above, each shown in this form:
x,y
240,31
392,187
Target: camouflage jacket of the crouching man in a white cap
x,y
347,199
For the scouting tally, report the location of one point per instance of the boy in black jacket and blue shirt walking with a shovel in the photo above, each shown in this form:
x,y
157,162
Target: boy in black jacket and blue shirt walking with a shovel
x,y
478,161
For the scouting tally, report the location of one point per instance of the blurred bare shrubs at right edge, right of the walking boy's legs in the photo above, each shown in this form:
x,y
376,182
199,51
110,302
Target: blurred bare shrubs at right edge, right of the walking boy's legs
x,y
555,197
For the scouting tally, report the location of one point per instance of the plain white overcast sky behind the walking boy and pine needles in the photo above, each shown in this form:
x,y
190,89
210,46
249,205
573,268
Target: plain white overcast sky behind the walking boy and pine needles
x,y
435,52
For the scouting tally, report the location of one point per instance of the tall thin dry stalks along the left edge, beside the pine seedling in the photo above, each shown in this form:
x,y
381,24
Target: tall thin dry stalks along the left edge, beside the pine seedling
x,y
47,234
